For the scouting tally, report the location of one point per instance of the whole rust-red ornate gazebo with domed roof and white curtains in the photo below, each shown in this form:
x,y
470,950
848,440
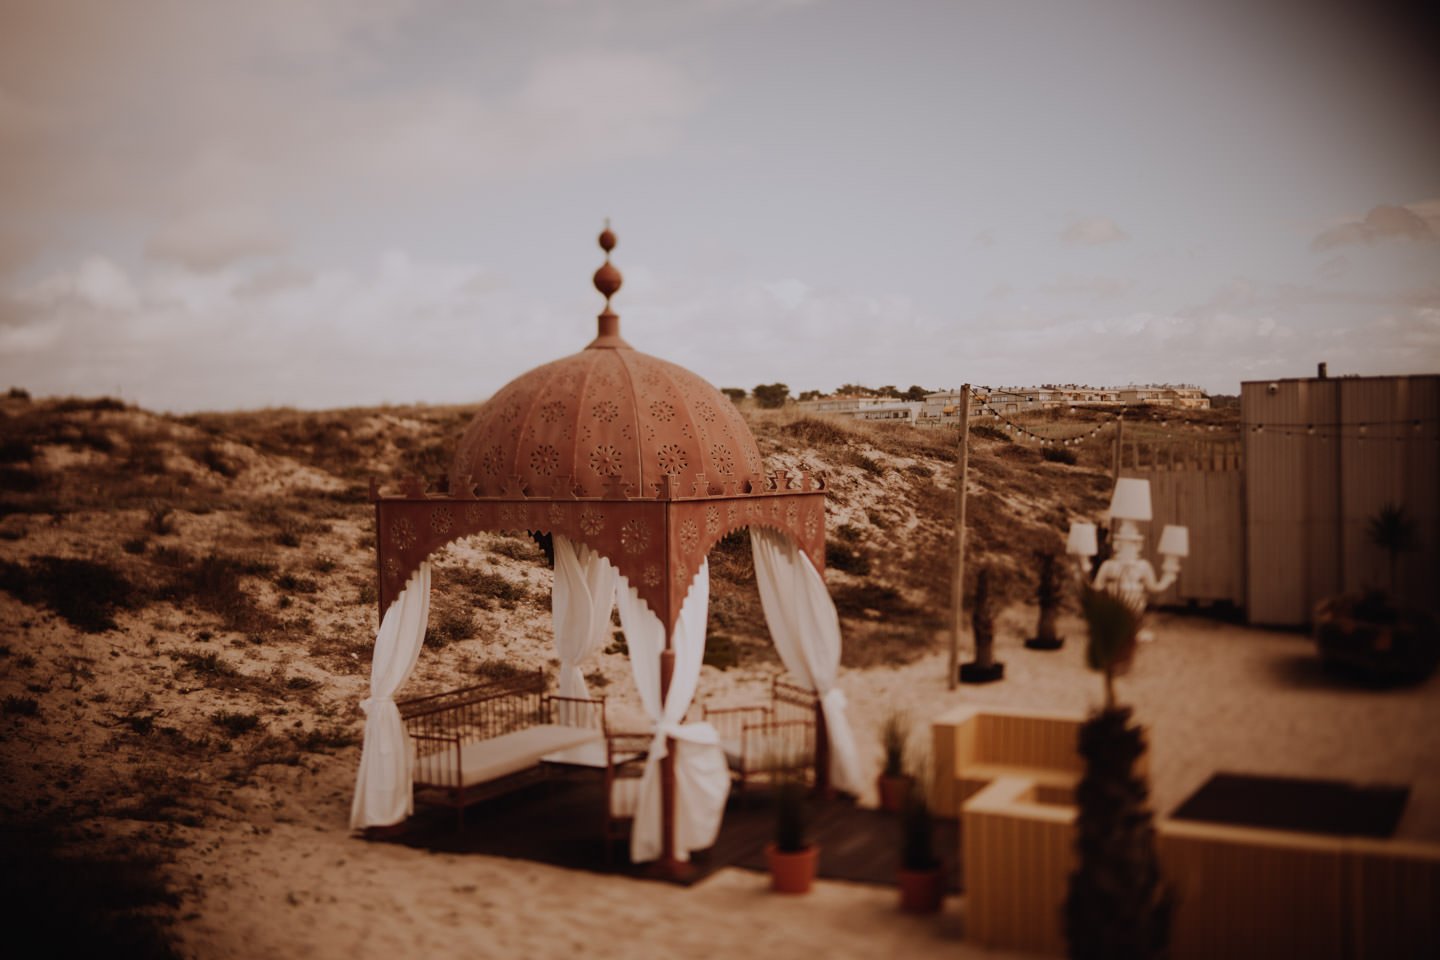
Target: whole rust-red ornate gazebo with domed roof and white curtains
x,y
636,468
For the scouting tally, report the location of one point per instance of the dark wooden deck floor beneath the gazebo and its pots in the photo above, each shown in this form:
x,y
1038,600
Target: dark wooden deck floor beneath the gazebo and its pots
x,y
561,824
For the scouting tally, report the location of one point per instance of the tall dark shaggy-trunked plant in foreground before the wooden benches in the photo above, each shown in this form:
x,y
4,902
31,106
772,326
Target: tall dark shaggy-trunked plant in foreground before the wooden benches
x,y
1118,905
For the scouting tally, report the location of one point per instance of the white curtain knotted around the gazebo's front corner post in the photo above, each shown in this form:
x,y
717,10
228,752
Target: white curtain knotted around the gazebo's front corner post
x,y
702,778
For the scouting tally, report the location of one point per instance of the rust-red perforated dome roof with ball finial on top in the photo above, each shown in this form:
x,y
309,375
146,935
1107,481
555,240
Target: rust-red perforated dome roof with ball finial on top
x,y
607,422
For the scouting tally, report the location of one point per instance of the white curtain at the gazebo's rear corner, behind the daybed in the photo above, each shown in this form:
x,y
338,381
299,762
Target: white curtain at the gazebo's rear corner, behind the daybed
x,y
581,605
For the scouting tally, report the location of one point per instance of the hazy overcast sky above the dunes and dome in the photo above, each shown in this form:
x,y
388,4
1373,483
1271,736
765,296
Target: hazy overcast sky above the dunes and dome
x,y
351,202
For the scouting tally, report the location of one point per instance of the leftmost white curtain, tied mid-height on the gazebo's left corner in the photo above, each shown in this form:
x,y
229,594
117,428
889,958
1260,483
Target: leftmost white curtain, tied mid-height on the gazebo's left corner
x,y
384,794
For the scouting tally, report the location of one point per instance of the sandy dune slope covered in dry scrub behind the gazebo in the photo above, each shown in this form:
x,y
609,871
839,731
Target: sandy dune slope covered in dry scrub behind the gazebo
x,y
189,605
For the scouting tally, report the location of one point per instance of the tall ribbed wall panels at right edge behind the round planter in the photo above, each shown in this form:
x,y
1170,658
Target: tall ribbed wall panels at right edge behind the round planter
x,y
1311,493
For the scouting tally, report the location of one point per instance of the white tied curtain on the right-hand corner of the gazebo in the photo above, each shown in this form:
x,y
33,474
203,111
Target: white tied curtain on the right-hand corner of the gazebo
x,y
806,630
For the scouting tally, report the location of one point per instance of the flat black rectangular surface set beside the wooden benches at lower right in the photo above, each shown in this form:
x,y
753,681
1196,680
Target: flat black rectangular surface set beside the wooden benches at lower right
x,y
1292,804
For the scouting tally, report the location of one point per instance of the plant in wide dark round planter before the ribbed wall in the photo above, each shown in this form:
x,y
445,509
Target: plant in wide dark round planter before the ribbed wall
x,y
1370,634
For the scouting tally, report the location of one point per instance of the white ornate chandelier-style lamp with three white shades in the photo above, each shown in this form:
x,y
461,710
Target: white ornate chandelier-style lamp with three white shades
x,y
1127,575
